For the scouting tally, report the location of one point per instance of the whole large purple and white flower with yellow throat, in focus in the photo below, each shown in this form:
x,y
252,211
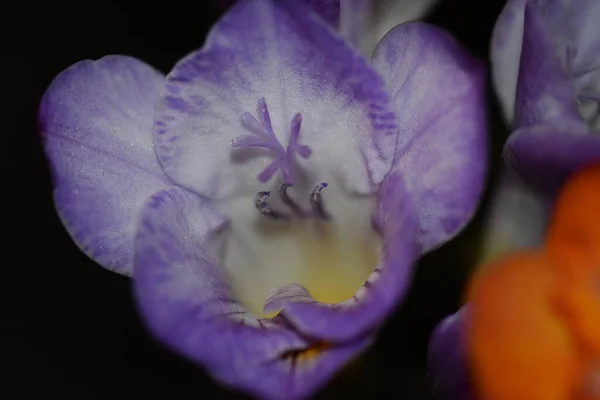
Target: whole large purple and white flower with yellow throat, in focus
x,y
270,195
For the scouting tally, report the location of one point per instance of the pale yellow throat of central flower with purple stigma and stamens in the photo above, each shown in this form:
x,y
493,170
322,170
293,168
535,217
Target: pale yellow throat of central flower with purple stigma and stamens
x,y
296,232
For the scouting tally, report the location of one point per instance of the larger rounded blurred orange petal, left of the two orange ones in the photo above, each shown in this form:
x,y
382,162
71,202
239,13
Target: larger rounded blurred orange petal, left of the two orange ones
x,y
518,345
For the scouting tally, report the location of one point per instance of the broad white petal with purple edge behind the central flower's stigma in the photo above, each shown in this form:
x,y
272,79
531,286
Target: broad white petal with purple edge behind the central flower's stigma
x,y
276,51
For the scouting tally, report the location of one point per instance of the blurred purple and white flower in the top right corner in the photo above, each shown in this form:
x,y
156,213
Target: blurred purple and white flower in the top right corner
x,y
546,71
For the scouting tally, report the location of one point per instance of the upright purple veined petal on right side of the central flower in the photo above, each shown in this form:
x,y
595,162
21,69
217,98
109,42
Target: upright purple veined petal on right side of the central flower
x,y
442,150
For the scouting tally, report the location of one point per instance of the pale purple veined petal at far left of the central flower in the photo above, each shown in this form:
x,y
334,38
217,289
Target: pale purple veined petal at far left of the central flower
x,y
96,120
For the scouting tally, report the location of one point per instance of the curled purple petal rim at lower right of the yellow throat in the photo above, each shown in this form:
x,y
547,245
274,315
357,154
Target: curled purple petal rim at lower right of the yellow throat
x,y
385,287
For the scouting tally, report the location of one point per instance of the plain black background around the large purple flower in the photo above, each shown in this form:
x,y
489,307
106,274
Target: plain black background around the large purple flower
x,y
69,328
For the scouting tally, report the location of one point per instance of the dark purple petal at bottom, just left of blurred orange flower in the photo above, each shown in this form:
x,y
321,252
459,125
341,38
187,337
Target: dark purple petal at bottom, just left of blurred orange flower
x,y
447,361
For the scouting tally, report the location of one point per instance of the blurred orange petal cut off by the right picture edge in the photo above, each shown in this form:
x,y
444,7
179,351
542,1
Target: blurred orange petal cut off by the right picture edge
x,y
573,245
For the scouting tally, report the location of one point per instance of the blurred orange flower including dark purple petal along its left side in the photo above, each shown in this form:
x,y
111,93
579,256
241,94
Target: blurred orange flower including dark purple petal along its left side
x,y
531,329
